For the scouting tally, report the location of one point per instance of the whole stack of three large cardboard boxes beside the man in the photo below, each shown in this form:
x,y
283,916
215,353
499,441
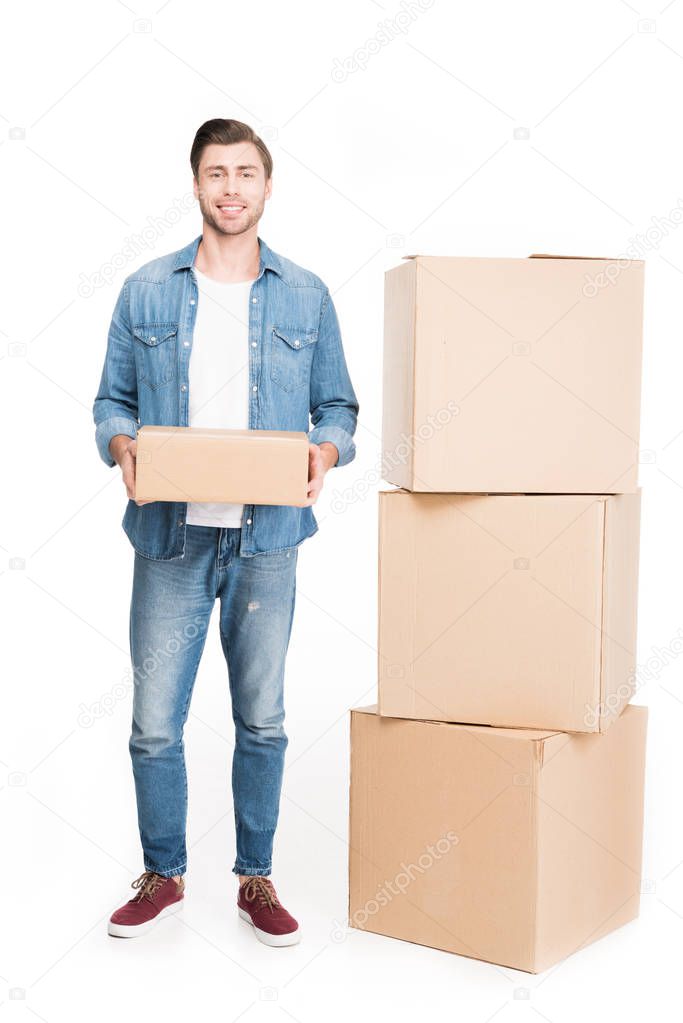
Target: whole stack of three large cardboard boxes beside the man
x,y
497,787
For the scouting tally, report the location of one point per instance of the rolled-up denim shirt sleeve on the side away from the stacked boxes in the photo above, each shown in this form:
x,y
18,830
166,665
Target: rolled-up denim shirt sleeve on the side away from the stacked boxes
x,y
116,405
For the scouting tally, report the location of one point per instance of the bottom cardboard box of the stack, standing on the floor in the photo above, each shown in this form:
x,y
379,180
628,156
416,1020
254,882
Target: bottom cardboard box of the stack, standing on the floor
x,y
514,847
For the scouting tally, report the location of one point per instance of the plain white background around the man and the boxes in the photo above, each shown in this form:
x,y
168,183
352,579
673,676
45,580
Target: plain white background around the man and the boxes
x,y
414,151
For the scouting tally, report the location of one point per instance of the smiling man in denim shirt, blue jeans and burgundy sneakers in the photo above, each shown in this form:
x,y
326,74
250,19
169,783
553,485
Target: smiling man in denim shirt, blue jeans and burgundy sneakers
x,y
223,333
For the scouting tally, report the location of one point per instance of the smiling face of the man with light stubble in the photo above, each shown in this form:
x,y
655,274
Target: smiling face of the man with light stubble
x,y
232,188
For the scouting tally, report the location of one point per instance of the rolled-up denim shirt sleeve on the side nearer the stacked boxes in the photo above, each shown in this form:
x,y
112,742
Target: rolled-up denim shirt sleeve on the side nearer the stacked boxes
x,y
335,407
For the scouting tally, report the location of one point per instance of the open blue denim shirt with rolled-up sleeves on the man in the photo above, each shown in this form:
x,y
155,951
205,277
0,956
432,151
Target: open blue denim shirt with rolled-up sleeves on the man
x,y
297,368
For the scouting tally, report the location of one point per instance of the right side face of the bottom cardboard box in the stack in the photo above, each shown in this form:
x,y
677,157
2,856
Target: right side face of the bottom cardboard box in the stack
x,y
590,844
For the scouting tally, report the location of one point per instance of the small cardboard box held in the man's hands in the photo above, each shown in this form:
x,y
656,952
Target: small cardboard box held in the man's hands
x,y
199,464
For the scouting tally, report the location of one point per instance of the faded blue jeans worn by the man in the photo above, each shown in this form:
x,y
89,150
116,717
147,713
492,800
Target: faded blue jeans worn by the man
x,y
171,608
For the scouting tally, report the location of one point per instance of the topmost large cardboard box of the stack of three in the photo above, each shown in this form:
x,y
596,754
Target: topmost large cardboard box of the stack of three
x,y
513,375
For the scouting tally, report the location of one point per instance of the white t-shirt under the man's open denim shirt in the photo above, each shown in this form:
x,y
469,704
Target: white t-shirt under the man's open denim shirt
x,y
219,376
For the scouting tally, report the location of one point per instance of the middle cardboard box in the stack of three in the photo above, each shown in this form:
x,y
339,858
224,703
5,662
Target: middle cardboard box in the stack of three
x,y
516,610
